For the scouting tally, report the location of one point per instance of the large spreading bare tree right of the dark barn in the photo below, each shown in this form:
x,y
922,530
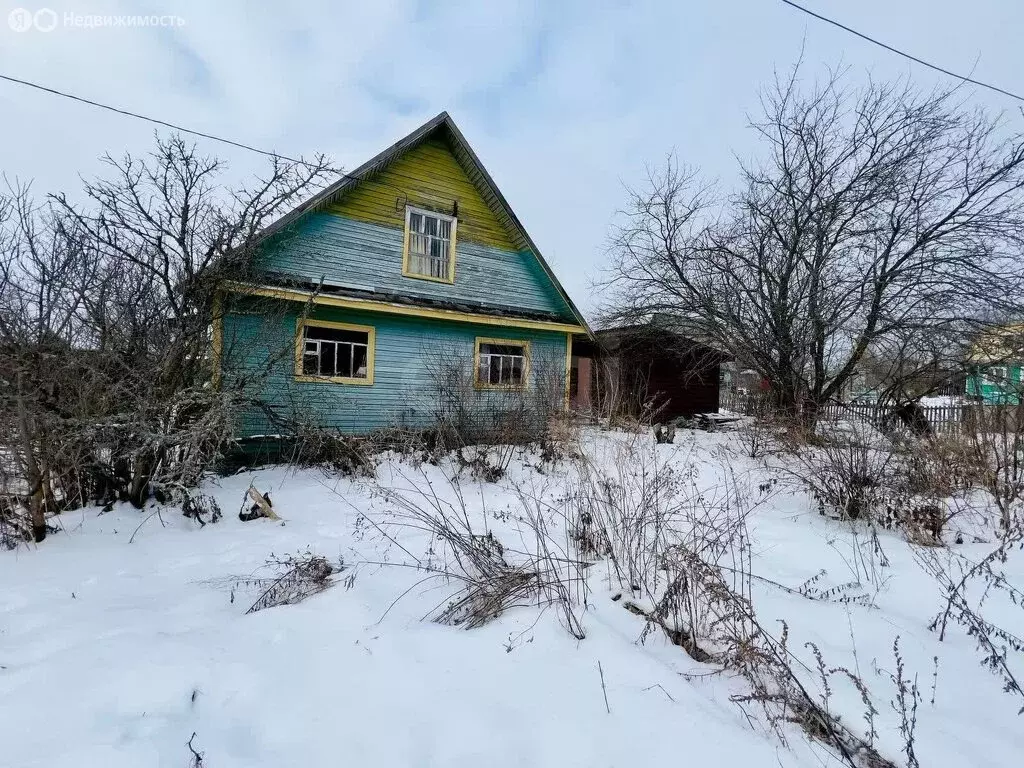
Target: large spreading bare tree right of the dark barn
x,y
875,218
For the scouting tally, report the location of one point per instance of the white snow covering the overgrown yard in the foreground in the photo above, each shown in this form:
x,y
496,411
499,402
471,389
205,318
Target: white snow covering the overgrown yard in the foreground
x,y
113,652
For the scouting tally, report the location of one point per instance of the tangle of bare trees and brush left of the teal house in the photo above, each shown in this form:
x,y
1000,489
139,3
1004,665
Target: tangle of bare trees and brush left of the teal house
x,y
106,315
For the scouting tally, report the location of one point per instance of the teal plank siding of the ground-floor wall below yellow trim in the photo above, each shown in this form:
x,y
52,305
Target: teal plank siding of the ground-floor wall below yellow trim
x,y
406,350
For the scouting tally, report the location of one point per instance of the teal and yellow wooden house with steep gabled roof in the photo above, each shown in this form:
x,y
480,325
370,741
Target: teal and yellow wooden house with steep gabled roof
x,y
367,297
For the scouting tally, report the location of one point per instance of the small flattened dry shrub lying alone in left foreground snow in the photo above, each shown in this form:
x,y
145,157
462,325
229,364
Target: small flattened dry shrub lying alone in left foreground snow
x,y
288,580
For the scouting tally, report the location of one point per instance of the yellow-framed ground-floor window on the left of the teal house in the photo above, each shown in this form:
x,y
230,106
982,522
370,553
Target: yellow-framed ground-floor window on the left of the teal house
x,y
338,353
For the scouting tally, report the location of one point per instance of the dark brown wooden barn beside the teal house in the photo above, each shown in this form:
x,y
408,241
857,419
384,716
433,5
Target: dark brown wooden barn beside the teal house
x,y
647,370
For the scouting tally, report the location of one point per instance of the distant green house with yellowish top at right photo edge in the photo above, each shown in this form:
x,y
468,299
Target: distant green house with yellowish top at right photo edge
x,y
996,366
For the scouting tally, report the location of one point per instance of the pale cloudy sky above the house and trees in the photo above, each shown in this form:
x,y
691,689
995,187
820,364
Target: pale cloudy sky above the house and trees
x,y
565,102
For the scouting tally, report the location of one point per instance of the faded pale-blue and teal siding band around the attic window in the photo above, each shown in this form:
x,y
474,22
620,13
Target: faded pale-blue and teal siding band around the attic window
x,y
366,257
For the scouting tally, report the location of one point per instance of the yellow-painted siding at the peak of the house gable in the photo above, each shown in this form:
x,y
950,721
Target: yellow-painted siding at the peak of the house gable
x,y
429,177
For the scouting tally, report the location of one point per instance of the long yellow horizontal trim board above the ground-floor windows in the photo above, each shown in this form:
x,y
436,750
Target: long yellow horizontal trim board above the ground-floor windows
x,y
287,294
